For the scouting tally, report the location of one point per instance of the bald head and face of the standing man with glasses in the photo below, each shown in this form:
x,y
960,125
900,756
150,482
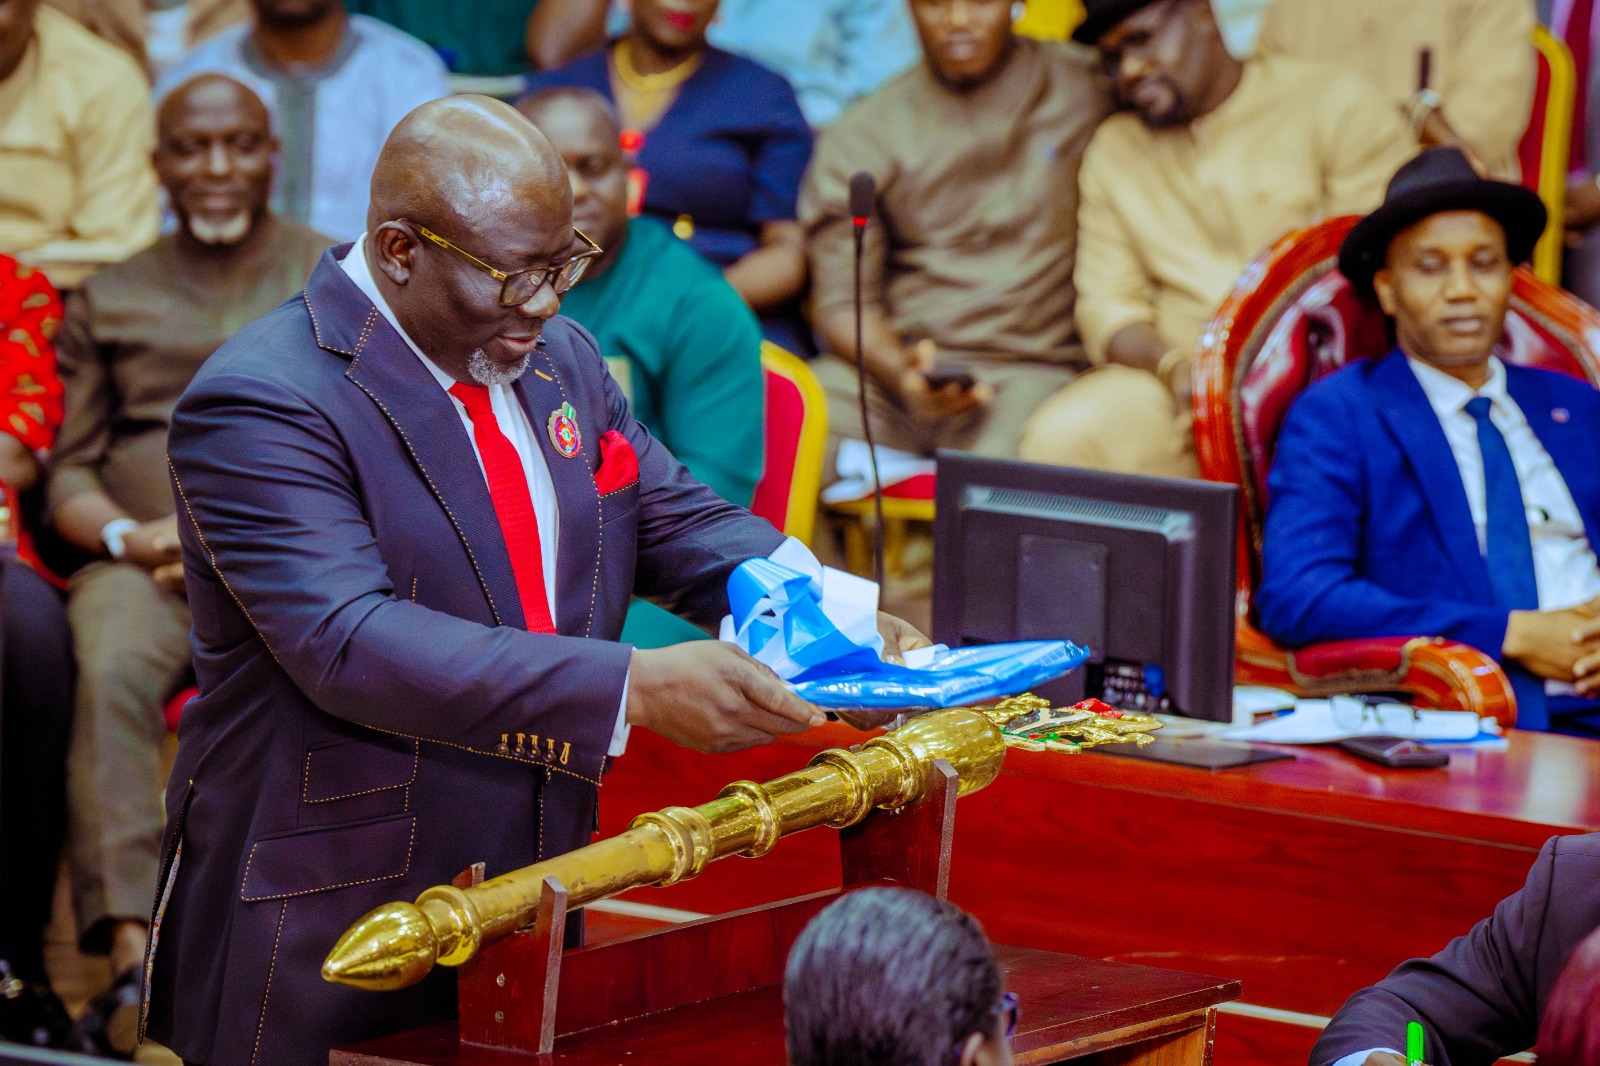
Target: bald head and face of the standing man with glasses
x,y
490,191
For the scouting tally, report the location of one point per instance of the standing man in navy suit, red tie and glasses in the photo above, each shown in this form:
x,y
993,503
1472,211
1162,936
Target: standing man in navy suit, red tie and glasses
x,y
409,564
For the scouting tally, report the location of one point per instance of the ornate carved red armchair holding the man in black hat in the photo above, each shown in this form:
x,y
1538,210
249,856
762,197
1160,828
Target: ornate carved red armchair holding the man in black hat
x,y
1290,321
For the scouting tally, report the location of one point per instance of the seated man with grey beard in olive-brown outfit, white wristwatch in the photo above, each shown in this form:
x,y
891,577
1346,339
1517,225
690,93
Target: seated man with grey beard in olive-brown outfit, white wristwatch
x,y
134,339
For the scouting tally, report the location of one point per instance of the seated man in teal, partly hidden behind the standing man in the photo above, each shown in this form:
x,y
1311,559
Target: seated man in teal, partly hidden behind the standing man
x,y
681,343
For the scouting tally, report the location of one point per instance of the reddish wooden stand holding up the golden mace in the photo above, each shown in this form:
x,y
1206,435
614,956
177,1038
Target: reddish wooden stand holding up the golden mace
x,y
713,990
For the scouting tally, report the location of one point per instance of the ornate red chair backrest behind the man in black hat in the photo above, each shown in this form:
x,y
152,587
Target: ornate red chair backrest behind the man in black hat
x,y
1294,319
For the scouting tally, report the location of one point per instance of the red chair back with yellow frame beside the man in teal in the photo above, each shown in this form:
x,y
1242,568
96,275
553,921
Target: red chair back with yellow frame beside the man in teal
x,y
796,444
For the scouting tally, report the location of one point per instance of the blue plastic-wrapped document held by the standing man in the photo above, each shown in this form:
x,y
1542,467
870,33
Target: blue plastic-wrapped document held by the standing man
x,y
817,628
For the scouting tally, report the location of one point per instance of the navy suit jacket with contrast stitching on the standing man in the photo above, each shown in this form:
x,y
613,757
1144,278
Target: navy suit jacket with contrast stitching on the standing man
x,y
372,715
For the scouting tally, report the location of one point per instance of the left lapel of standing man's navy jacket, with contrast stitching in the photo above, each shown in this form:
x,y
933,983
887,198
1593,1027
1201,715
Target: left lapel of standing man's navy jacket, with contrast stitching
x,y
423,415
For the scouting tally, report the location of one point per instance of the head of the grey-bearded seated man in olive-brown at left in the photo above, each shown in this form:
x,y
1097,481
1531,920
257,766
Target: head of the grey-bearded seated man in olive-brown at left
x,y
214,154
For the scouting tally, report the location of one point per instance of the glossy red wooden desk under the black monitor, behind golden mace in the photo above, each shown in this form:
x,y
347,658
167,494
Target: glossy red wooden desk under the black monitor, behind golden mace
x,y
1305,880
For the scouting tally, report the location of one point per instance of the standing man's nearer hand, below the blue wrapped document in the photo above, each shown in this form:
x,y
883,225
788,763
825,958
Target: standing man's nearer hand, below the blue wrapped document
x,y
713,697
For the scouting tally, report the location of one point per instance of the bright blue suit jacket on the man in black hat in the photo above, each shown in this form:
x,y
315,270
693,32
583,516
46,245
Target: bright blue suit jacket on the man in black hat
x,y
1369,531
